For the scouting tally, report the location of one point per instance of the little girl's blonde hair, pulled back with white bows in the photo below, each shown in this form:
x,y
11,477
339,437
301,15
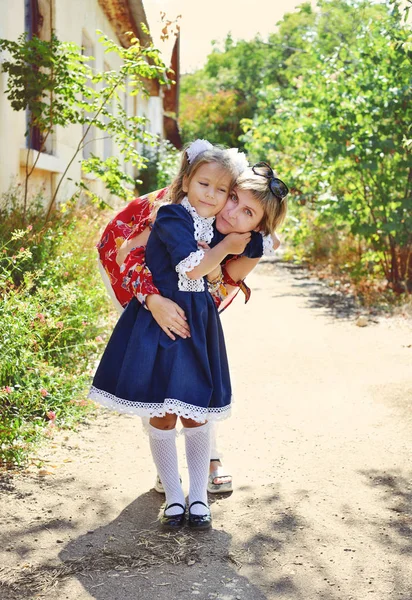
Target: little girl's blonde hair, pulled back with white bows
x,y
188,169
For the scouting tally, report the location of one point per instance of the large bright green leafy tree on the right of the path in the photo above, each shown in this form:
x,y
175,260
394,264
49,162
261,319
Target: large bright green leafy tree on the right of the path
x,y
341,134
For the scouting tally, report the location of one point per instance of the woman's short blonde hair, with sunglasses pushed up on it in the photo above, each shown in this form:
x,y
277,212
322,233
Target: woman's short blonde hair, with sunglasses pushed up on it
x,y
274,208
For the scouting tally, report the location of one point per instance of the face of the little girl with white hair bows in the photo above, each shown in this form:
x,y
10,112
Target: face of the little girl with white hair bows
x,y
208,189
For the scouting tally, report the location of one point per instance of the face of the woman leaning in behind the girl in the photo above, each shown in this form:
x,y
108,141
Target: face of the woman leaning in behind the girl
x,y
241,213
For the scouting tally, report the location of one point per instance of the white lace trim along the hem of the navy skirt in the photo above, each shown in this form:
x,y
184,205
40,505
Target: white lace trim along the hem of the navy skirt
x,y
154,409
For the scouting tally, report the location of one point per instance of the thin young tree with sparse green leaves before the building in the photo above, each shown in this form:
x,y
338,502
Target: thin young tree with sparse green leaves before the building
x,y
49,79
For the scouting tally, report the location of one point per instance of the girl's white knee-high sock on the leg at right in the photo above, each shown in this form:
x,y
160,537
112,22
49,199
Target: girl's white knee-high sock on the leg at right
x,y
197,442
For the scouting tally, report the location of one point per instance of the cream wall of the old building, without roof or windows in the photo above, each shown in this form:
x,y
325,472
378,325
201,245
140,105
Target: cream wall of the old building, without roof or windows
x,y
73,21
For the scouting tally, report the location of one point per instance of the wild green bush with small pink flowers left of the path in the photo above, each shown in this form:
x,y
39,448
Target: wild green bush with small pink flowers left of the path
x,y
51,294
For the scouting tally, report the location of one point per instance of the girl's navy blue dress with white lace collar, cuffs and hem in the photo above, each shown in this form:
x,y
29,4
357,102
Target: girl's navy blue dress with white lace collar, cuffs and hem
x,y
142,370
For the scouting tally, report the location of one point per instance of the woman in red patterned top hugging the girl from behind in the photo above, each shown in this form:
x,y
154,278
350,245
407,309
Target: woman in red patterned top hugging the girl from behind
x,y
251,206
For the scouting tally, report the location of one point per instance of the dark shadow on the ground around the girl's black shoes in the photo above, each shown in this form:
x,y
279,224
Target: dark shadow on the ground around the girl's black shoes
x,y
130,557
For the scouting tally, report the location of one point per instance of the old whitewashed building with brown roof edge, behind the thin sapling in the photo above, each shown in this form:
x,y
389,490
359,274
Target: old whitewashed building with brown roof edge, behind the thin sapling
x,y
75,21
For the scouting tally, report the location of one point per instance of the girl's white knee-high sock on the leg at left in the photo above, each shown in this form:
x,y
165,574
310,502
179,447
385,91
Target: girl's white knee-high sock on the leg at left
x,y
164,452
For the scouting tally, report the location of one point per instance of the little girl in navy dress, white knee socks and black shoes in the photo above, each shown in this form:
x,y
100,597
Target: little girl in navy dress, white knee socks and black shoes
x,y
150,374
